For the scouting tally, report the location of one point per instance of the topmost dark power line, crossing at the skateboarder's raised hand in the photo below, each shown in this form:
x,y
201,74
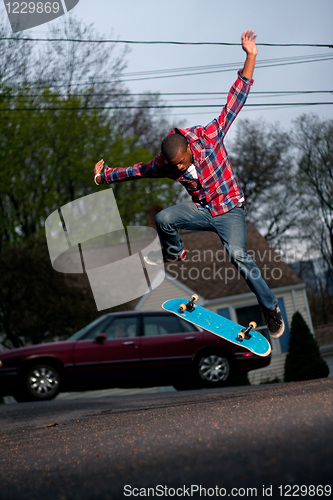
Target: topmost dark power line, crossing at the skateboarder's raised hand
x,y
160,42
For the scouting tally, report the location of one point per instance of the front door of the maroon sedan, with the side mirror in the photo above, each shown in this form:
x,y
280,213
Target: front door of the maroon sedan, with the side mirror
x,y
109,357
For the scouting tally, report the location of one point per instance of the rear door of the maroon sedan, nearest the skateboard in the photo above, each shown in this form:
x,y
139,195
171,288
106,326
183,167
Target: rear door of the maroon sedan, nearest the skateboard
x,y
167,344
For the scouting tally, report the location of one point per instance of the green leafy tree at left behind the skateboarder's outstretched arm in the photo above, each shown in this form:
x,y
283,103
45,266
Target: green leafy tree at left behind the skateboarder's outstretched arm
x,y
49,145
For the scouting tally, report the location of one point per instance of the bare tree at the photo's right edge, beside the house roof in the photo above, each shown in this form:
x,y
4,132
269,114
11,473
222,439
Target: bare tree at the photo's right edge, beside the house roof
x,y
313,139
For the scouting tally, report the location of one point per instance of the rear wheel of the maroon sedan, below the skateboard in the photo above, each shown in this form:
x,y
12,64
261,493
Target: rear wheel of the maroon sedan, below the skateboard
x,y
213,369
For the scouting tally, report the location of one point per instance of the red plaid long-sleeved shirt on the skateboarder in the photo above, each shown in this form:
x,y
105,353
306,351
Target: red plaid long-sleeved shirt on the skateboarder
x,y
216,186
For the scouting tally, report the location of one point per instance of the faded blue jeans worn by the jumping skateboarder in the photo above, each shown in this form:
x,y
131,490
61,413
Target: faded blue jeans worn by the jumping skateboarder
x,y
231,228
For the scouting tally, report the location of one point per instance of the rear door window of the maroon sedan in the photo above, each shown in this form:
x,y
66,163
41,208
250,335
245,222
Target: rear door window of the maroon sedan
x,y
164,324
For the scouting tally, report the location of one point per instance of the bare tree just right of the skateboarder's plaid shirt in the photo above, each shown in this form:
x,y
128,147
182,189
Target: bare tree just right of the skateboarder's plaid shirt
x,y
261,156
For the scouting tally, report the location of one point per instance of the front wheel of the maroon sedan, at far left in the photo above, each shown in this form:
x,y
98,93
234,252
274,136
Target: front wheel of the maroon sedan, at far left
x,y
40,382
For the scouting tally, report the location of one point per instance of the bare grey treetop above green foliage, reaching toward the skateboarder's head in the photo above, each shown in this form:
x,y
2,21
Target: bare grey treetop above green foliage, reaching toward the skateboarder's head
x,y
94,72
